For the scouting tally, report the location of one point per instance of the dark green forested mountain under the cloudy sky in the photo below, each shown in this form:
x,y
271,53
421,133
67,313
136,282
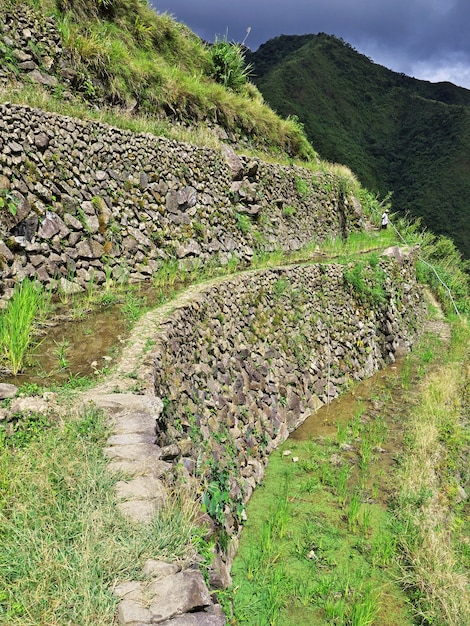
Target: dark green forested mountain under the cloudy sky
x,y
398,134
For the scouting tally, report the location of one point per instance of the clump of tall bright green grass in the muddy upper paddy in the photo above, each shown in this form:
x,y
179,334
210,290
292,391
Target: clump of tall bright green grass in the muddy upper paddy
x,y
17,322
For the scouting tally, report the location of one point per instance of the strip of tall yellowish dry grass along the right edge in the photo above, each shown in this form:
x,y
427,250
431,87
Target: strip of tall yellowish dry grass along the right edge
x,y
431,529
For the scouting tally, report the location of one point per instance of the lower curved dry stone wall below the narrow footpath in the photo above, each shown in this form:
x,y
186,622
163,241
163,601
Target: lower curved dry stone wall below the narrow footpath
x,y
251,358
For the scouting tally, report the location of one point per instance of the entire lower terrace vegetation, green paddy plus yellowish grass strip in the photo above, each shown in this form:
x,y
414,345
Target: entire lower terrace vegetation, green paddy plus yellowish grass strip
x,y
326,544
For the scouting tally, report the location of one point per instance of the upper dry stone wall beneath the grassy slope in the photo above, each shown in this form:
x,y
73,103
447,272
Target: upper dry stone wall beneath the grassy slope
x,y
85,201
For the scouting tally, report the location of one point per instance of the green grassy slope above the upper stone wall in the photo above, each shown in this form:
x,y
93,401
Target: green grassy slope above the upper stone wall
x,y
128,57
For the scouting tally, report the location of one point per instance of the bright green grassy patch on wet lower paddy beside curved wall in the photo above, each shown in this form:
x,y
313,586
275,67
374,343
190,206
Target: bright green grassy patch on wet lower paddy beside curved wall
x,y
306,554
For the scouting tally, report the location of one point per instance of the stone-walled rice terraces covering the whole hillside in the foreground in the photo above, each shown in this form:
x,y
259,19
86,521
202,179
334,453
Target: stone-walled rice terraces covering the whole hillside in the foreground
x,y
227,394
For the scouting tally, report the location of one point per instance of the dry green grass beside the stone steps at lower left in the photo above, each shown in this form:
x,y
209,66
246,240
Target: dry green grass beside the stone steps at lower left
x,y
63,544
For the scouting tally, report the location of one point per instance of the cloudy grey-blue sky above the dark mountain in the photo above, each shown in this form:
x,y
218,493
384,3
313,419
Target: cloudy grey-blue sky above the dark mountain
x,y
427,39
